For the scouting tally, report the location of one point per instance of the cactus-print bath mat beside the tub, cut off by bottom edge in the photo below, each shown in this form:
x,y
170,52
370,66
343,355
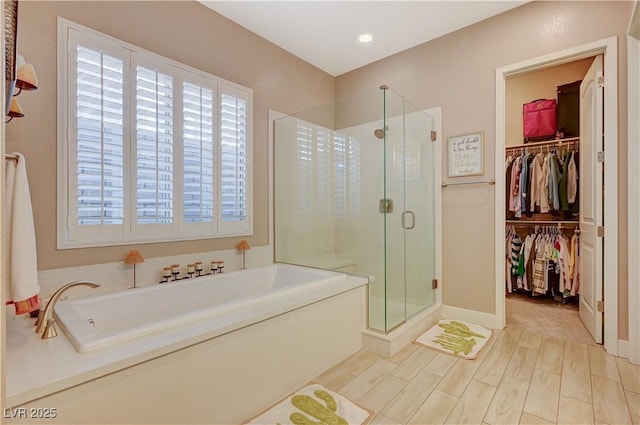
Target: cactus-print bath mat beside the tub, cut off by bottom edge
x,y
313,405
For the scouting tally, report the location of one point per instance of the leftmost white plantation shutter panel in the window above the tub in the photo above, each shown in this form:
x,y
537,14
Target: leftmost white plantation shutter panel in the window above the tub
x,y
96,137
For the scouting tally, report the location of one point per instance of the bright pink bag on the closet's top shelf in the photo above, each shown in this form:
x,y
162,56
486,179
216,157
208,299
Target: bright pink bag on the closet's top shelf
x,y
539,119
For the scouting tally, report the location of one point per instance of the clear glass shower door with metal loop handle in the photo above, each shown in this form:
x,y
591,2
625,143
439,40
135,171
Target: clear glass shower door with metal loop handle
x,y
409,228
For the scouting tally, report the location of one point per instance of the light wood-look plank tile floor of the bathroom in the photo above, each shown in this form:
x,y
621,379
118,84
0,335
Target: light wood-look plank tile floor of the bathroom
x,y
520,377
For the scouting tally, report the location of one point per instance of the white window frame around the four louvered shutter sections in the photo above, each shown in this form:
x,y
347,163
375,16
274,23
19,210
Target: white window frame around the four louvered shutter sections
x,y
72,235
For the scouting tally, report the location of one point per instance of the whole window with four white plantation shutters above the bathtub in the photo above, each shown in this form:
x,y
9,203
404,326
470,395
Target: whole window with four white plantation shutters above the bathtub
x,y
150,149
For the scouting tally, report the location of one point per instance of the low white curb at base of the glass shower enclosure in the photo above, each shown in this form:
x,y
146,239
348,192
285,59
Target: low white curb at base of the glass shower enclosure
x,y
391,343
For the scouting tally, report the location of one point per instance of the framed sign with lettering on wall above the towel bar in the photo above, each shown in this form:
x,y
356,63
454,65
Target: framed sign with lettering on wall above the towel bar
x,y
466,154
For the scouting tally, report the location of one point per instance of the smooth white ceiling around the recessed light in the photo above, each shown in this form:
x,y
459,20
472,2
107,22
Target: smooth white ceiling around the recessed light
x,y
324,33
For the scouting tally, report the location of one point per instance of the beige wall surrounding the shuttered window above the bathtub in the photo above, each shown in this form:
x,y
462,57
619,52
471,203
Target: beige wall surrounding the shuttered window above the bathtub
x,y
184,31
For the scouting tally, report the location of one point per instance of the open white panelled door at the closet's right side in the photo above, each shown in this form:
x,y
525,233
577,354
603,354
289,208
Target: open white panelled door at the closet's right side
x,y
591,199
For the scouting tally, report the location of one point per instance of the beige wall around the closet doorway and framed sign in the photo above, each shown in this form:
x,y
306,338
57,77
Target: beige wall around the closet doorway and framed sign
x,y
457,72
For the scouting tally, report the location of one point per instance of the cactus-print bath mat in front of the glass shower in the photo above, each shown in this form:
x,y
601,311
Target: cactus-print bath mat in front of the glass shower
x,y
456,337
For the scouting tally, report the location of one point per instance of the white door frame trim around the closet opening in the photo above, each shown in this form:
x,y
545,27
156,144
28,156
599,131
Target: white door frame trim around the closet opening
x,y
607,47
